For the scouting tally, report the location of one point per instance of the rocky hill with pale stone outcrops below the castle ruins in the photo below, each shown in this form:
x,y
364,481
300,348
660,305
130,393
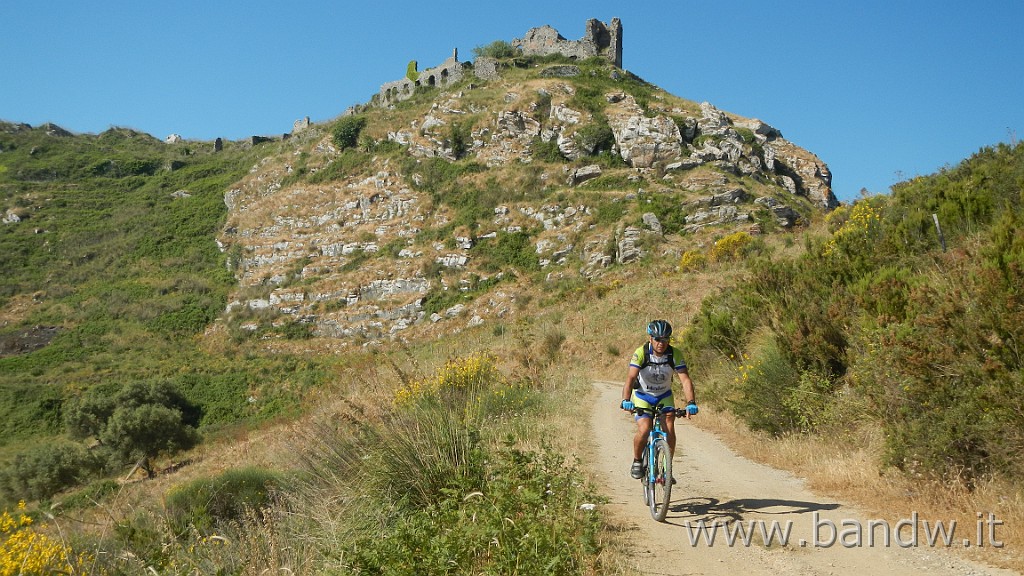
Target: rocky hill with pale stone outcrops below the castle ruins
x,y
448,203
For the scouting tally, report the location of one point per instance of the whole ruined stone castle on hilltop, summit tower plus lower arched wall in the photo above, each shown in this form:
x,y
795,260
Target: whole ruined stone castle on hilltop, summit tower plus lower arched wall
x,y
601,39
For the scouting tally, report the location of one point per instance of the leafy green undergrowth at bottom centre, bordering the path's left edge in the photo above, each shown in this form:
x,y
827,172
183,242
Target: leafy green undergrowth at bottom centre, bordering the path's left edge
x,y
458,533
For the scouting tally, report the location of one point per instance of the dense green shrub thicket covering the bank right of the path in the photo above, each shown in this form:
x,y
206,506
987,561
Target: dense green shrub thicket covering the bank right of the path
x,y
878,323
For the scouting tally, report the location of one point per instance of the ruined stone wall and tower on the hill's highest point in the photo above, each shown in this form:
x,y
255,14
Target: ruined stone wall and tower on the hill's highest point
x,y
600,39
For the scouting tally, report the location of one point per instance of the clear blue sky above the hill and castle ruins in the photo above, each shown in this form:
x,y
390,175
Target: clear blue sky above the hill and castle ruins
x,y
880,91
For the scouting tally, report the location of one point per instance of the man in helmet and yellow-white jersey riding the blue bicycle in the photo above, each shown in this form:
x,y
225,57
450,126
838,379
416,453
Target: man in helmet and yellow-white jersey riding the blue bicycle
x,y
650,383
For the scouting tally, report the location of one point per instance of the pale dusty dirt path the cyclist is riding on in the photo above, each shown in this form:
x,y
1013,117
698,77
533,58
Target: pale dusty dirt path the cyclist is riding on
x,y
716,486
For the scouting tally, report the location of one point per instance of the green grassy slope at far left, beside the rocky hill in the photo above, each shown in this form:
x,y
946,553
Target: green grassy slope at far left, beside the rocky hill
x,y
127,273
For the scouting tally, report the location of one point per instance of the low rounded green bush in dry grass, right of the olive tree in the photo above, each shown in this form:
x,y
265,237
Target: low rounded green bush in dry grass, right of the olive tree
x,y
205,504
